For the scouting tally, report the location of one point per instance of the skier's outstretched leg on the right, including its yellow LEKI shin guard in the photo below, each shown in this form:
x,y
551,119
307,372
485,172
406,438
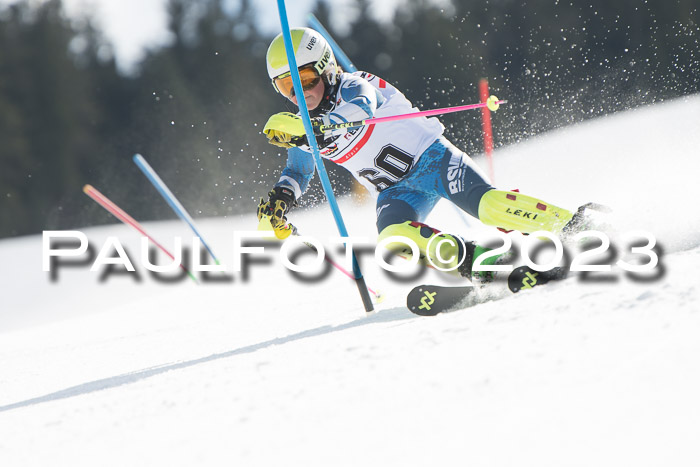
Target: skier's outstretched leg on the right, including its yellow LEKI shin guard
x,y
463,183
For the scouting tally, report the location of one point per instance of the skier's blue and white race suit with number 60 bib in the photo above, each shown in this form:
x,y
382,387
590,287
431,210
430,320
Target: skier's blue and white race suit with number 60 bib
x,y
407,164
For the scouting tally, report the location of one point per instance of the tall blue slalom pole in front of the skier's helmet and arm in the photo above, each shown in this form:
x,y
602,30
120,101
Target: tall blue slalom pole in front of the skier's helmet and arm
x,y
323,175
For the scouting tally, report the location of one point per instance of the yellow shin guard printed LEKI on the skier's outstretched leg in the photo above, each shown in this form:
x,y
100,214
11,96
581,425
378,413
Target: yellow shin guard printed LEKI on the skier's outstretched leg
x,y
514,211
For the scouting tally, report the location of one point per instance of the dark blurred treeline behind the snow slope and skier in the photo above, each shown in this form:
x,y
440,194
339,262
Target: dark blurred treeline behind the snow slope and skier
x,y
195,108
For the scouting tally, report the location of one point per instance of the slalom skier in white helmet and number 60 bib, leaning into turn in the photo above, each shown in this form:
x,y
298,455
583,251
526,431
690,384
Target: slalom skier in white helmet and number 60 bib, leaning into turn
x,y
408,164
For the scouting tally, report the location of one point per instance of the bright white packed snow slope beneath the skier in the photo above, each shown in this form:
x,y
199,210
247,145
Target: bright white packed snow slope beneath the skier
x,y
274,371
